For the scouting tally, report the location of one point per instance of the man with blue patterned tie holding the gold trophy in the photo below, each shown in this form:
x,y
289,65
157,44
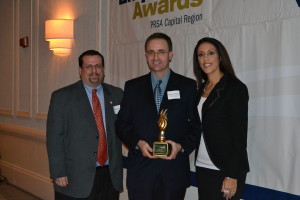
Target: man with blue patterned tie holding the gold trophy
x,y
150,177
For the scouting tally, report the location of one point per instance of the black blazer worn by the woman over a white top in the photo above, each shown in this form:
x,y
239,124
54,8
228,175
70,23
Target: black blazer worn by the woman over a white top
x,y
224,124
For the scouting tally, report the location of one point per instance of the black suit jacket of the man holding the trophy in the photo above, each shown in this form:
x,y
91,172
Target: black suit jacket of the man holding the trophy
x,y
137,120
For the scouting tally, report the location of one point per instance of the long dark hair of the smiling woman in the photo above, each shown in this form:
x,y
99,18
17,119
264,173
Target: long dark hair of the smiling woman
x,y
225,63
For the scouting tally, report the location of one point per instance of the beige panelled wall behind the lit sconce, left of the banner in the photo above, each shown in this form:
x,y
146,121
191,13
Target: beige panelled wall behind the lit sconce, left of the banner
x,y
29,75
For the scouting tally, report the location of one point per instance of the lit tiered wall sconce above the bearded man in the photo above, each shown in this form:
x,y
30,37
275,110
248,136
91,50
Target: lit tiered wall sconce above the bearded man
x,y
59,33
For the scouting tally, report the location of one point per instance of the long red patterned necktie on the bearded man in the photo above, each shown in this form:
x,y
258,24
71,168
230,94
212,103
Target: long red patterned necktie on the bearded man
x,y
102,147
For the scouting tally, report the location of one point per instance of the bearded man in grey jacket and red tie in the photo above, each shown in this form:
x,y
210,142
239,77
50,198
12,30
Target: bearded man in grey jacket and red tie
x,y
85,155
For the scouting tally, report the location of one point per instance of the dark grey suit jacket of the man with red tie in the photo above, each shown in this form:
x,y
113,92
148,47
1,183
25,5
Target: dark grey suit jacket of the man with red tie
x,y
72,139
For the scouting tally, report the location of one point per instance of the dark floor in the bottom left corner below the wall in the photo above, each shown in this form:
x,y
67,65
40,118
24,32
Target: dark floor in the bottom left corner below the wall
x,y
10,192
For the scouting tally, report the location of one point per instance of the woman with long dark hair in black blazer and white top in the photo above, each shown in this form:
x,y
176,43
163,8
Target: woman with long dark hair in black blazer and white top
x,y
221,158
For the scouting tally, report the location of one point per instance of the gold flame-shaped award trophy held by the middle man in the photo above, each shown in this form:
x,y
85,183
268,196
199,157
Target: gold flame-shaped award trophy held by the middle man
x,y
161,147
